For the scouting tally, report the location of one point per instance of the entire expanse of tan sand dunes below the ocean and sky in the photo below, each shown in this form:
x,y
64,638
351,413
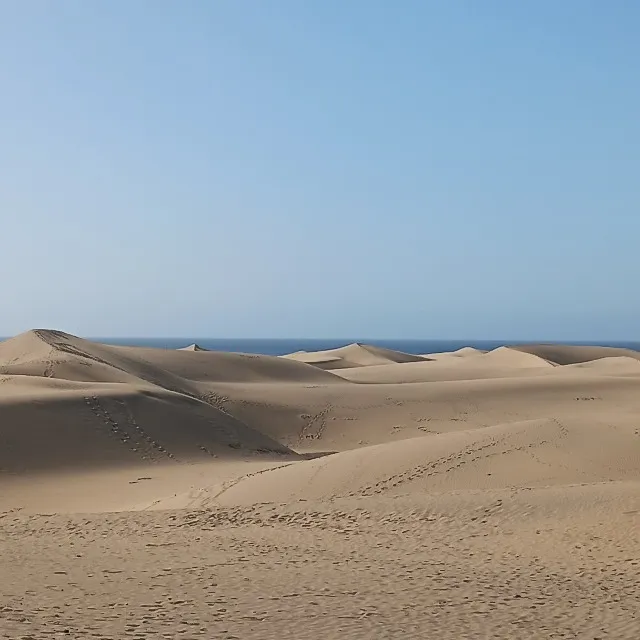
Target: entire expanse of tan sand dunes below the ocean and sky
x,y
352,493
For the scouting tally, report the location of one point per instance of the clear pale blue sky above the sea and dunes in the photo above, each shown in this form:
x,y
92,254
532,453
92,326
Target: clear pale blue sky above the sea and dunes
x,y
321,168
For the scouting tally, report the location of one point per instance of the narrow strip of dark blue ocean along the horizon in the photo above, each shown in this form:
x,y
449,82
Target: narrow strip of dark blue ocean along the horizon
x,y
278,347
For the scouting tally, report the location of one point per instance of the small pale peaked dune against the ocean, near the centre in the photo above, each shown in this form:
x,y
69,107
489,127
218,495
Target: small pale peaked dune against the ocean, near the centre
x,y
353,355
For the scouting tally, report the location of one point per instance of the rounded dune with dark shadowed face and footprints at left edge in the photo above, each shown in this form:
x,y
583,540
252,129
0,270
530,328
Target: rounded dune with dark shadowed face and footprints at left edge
x,y
98,426
